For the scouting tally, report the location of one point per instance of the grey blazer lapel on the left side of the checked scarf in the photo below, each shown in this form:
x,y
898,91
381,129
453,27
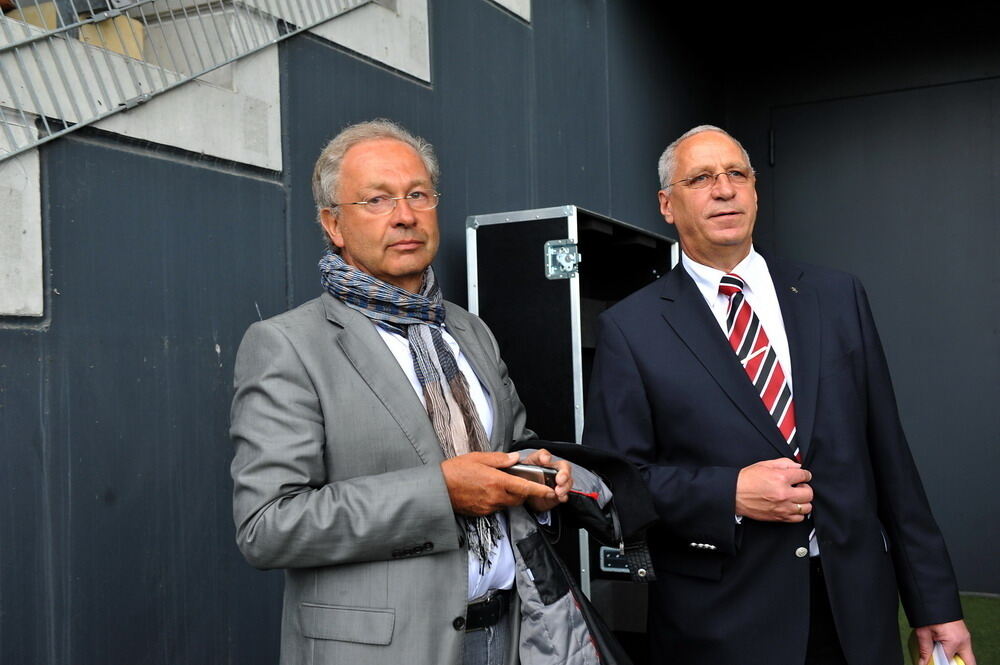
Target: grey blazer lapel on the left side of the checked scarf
x,y
360,342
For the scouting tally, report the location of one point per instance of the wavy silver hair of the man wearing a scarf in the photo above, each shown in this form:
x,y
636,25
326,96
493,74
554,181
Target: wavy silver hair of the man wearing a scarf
x,y
326,173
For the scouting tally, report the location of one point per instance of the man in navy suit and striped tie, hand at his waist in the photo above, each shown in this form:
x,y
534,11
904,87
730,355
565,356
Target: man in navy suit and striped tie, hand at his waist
x,y
755,397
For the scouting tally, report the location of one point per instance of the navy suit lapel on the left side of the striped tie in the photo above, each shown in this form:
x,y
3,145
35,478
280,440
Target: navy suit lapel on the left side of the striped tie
x,y
685,309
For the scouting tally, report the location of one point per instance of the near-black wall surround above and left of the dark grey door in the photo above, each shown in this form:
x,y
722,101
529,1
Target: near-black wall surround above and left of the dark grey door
x,y
844,58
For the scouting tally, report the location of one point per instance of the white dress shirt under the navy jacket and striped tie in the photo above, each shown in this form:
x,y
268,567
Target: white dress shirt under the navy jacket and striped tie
x,y
759,292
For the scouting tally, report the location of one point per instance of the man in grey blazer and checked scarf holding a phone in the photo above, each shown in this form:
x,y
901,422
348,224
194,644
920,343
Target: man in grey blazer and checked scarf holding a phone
x,y
370,425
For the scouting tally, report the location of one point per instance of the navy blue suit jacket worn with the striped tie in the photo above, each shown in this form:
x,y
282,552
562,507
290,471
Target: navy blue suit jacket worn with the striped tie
x,y
668,393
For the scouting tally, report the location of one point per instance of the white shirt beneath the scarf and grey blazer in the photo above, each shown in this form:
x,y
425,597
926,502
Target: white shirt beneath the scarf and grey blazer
x,y
500,575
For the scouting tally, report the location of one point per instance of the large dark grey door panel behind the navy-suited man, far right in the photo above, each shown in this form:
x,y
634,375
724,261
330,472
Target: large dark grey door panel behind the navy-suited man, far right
x,y
901,189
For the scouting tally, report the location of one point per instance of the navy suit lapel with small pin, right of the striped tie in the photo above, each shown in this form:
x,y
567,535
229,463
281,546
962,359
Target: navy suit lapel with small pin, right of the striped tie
x,y
800,313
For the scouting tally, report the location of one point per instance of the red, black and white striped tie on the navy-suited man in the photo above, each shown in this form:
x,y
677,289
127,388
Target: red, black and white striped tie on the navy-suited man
x,y
758,358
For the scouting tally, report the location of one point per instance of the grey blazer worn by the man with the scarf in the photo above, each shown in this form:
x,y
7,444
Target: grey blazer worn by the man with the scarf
x,y
337,480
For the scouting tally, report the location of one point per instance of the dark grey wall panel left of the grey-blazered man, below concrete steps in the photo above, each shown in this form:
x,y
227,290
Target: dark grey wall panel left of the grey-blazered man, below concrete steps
x,y
124,439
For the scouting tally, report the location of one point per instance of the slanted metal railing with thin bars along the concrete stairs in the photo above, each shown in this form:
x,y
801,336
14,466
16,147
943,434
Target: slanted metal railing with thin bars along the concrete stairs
x,y
65,64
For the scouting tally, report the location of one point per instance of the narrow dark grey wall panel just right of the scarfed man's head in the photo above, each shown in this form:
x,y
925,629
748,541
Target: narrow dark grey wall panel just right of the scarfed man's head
x,y
482,120
